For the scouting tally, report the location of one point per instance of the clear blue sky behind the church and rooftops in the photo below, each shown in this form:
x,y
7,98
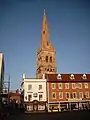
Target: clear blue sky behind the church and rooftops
x,y
20,32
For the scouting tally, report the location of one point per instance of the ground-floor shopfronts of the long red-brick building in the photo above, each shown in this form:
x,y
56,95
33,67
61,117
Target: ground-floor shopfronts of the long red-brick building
x,y
68,106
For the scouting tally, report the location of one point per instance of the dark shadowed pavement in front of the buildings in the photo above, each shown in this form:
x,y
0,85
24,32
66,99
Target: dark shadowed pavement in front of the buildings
x,y
76,115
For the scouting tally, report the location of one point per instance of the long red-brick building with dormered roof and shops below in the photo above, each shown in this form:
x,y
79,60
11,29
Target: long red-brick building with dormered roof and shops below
x,y
68,91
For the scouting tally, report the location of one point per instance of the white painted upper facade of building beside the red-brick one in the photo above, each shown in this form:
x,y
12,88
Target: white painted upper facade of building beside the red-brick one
x,y
34,89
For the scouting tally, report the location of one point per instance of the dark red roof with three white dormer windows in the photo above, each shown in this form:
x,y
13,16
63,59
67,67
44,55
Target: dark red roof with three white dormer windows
x,y
68,77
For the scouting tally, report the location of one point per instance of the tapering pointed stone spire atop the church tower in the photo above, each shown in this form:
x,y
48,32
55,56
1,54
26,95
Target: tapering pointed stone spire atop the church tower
x,y
45,39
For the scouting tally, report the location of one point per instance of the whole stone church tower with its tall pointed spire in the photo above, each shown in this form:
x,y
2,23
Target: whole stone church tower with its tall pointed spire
x,y
46,54
